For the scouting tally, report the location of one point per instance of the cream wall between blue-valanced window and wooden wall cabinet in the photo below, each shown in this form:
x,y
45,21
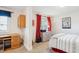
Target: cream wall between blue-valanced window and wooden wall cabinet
x,y
13,22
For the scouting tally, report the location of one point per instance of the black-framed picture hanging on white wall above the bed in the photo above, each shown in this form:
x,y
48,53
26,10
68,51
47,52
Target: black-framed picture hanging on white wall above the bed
x,y
66,23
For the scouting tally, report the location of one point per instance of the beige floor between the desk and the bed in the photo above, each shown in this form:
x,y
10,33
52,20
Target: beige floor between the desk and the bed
x,y
37,48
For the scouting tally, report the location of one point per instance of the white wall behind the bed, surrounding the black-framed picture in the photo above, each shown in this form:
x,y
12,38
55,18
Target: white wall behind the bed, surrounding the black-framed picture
x,y
74,23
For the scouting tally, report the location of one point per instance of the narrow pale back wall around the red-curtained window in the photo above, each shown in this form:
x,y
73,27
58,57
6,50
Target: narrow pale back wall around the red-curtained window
x,y
34,12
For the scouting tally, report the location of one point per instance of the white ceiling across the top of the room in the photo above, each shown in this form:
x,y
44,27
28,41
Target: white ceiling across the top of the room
x,y
49,10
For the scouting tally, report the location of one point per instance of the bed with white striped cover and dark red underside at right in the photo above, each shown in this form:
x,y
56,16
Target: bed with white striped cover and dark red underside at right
x,y
65,43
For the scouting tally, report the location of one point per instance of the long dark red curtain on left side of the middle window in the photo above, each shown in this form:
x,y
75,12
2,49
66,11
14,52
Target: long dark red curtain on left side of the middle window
x,y
38,36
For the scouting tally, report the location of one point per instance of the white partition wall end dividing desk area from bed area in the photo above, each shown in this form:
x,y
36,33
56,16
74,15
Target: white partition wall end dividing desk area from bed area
x,y
28,31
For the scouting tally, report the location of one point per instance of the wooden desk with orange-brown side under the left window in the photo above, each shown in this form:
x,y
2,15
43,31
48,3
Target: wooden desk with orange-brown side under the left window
x,y
10,41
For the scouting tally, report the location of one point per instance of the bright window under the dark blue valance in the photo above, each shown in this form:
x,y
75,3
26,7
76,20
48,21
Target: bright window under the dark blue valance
x,y
3,23
